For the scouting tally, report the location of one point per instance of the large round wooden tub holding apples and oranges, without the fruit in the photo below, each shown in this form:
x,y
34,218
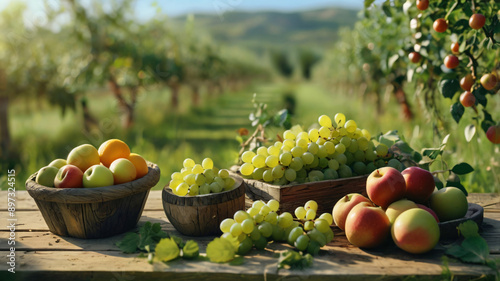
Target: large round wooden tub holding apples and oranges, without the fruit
x,y
93,212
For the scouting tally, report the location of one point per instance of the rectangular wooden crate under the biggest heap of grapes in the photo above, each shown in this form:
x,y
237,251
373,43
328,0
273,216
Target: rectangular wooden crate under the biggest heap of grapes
x,y
326,193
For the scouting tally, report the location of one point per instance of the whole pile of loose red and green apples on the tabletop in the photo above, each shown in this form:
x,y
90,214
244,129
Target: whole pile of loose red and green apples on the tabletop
x,y
405,205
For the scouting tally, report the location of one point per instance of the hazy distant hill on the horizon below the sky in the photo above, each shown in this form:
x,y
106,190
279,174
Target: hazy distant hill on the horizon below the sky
x,y
256,30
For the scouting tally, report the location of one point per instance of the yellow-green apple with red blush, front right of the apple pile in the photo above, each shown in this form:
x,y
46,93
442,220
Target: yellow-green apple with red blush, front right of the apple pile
x,y
415,231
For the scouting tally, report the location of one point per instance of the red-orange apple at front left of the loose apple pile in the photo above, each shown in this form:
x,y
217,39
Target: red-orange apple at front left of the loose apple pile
x,y
367,226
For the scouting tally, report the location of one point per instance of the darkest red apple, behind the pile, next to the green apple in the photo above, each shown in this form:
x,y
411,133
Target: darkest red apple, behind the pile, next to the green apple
x,y
419,184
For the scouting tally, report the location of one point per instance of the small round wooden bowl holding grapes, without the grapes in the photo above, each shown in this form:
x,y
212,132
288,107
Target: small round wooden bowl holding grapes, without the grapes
x,y
201,215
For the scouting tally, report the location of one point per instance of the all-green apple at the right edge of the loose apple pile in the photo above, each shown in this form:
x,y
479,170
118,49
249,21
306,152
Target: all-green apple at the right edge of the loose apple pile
x,y
449,203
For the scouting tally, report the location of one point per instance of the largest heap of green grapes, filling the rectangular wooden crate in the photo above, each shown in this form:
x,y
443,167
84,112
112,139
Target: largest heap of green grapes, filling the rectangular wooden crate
x,y
334,150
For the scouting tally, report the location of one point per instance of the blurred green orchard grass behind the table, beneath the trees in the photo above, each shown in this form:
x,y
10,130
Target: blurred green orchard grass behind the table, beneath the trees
x,y
167,138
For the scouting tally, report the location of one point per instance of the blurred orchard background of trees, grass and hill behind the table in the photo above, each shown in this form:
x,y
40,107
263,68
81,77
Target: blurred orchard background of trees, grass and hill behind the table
x,y
178,87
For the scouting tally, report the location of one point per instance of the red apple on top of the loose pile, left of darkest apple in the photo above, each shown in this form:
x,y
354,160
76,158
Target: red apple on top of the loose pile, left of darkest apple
x,y
385,185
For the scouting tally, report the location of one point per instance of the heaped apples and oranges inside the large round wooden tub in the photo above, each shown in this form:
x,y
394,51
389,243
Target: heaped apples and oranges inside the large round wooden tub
x,y
89,167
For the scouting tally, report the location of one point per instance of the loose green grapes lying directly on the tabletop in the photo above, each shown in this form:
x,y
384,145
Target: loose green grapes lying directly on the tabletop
x,y
261,224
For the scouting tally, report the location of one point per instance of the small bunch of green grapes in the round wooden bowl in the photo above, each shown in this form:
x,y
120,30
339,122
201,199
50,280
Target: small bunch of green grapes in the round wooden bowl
x,y
198,179
